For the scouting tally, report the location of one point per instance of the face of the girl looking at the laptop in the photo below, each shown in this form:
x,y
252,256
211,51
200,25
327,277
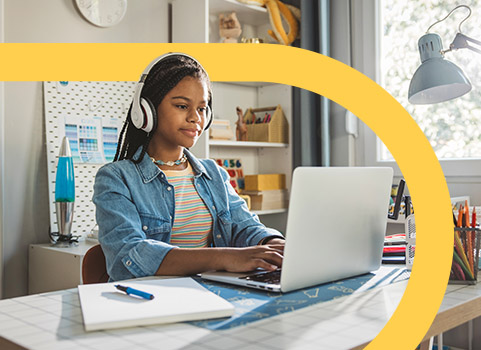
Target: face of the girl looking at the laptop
x,y
182,114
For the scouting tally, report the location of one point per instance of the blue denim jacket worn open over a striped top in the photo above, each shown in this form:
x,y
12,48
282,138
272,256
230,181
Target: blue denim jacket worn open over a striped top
x,y
135,206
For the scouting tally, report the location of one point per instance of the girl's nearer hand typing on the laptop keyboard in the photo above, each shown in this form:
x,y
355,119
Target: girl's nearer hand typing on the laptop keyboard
x,y
268,257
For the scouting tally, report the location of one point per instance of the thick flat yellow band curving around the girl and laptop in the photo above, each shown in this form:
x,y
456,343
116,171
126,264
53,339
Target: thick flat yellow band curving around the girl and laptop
x,y
310,71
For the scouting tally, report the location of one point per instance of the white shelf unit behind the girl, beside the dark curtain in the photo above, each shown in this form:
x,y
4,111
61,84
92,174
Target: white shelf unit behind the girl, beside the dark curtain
x,y
257,157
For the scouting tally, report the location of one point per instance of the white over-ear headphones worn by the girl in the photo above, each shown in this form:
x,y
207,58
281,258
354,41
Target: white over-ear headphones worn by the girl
x,y
143,112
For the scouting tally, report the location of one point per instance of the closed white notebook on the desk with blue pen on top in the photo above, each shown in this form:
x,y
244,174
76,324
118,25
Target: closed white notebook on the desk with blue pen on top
x,y
176,300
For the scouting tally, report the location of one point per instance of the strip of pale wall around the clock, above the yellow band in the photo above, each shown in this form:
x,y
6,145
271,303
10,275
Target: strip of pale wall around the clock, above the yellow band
x,y
59,21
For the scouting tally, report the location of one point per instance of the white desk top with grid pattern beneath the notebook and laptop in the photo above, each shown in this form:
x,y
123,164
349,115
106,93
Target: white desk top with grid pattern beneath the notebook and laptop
x,y
53,321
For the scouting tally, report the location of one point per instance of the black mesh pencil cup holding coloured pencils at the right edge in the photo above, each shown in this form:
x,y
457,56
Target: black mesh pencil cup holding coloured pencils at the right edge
x,y
464,269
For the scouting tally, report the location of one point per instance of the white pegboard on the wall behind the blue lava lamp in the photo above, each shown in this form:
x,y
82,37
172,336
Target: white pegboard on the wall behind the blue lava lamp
x,y
94,105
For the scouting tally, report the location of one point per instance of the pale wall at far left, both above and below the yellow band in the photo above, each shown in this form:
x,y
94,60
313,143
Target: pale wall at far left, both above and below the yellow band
x,y
25,212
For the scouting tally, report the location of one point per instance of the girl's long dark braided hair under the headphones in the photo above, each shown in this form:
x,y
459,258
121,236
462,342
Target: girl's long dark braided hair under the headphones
x,y
162,78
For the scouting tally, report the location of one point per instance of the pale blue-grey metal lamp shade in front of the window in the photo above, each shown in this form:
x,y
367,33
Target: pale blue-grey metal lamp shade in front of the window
x,y
437,79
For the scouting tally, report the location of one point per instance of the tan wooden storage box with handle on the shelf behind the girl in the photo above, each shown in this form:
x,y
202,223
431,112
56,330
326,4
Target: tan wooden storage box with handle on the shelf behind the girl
x,y
271,129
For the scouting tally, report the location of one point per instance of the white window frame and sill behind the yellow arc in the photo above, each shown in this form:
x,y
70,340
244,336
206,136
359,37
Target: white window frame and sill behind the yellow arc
x,y
369,27
